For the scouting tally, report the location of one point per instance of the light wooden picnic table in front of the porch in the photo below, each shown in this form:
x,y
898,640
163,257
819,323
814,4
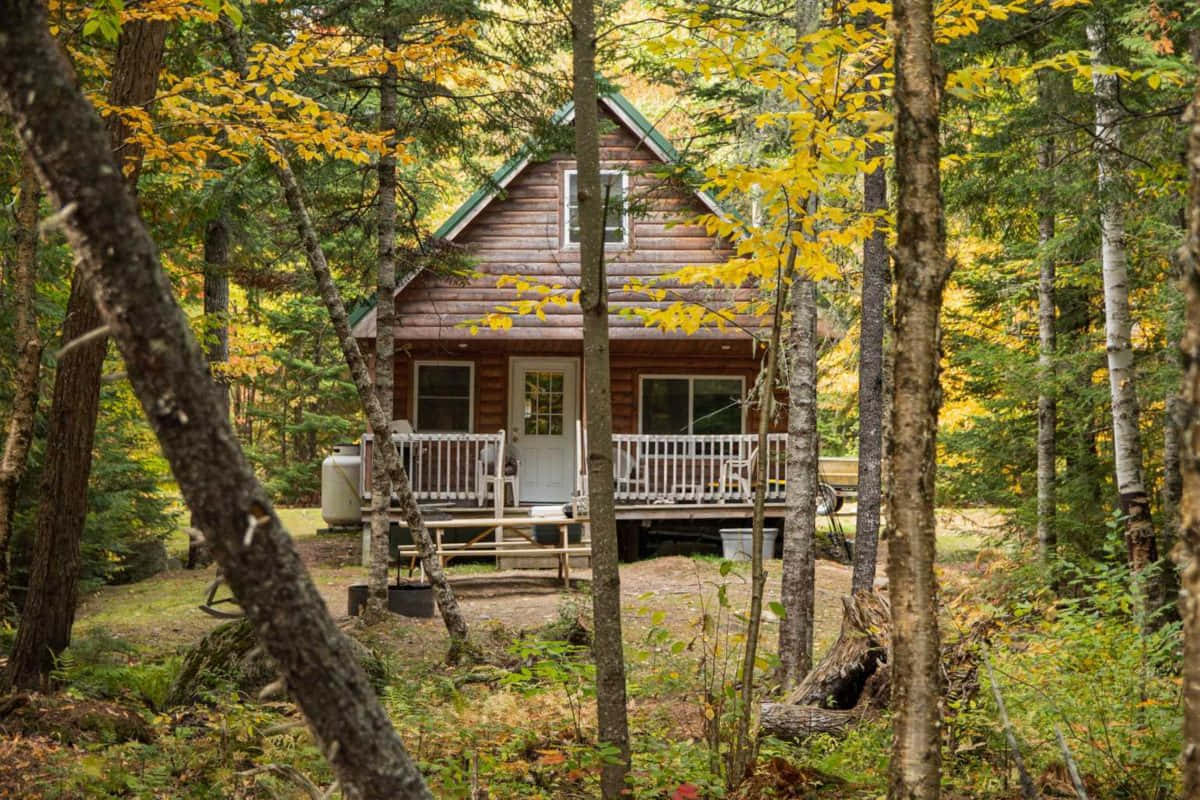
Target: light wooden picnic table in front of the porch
x,y
496,546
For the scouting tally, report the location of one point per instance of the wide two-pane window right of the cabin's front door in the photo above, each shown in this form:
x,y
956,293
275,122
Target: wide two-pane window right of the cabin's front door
x,y
692,406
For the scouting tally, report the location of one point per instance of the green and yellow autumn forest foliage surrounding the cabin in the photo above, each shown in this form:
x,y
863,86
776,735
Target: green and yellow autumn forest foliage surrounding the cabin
x,y
477,82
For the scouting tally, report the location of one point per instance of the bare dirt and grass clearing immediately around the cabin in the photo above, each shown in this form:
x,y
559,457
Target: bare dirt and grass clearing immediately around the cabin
x,y
680,587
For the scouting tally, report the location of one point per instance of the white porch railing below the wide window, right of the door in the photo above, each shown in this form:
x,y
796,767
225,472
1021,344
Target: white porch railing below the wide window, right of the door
x,y
657,468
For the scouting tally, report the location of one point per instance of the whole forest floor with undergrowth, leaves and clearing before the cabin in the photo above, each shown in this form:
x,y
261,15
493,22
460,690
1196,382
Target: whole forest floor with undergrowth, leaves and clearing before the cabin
x,y
519,721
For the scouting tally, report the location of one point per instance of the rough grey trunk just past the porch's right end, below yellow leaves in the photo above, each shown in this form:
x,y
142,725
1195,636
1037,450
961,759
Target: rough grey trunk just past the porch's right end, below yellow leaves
x,y
800,525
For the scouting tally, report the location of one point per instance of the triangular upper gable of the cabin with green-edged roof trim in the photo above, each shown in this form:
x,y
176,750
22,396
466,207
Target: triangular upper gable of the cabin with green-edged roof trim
x,y
511,228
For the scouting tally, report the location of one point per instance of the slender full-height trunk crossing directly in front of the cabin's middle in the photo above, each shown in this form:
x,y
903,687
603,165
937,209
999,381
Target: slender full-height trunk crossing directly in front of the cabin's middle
x,y
608,648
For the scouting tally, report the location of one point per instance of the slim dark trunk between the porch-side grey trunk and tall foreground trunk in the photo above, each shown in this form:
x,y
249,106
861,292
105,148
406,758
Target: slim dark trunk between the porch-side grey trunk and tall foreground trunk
x,y
871,382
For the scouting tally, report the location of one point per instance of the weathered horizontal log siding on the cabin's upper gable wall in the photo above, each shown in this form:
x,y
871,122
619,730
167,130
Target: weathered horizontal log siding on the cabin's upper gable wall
x,y
521,234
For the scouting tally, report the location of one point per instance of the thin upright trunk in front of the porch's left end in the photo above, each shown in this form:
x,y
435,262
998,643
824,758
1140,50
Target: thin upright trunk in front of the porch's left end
x,y
386,321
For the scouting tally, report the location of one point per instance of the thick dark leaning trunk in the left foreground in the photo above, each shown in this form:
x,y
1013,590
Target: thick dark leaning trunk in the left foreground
x,y
170,377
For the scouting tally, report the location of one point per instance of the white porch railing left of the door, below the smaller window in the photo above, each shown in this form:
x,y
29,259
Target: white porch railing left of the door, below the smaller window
x,y
452,467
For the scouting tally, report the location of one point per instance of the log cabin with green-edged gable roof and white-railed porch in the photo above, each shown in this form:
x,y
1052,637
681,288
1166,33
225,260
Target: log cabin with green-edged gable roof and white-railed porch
x,y
493,417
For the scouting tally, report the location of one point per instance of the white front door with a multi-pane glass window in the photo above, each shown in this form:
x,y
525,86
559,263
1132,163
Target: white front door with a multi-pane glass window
x,y
543,410
